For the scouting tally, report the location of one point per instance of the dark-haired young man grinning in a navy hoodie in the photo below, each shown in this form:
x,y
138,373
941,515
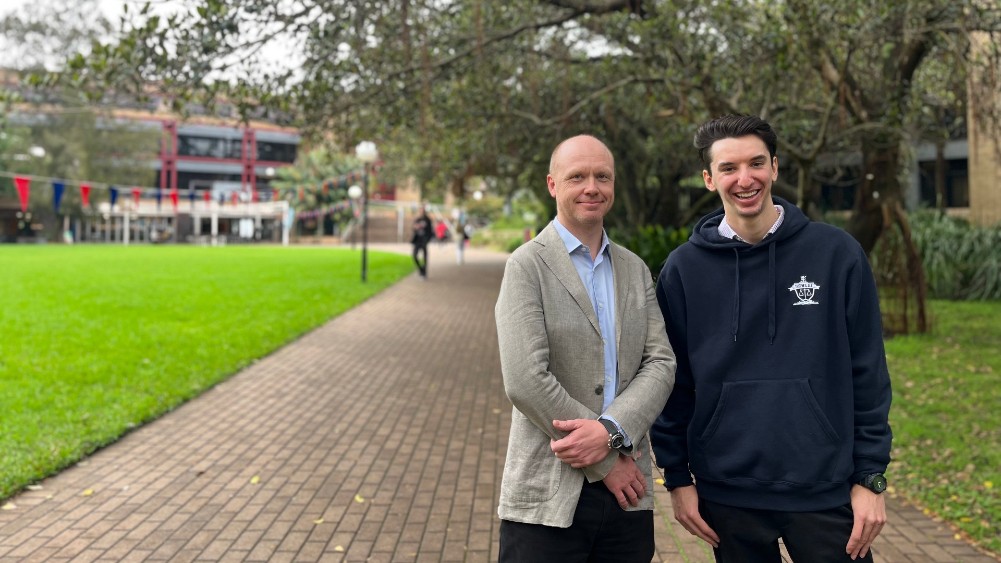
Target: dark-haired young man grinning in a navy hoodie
x,y
781,399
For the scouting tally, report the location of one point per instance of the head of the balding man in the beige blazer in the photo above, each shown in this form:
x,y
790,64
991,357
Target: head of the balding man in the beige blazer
x,y
582,181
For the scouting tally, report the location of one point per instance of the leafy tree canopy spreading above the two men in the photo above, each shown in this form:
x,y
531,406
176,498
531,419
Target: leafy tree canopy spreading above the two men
x,y
456,89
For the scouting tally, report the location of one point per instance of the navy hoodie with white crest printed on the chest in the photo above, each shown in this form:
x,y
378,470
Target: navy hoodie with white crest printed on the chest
x,y
782,392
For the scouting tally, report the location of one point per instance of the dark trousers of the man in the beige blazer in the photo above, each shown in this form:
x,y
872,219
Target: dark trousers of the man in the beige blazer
x,y
602,532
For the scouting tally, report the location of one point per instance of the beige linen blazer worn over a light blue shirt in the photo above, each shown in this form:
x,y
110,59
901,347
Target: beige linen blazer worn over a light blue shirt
x,y
552,359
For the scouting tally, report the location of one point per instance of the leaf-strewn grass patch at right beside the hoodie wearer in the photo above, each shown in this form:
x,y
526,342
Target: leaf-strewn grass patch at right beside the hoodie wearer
x,y
946,418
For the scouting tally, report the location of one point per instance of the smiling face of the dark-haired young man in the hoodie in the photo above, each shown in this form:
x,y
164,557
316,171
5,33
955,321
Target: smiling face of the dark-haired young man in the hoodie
x,y
743,173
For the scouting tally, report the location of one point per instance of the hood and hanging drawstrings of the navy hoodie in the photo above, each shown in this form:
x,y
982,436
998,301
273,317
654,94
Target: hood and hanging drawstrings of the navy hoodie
x,y
707,236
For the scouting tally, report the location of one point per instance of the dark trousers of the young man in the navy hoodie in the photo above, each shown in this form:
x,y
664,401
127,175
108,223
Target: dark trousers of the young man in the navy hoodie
x,y
749,535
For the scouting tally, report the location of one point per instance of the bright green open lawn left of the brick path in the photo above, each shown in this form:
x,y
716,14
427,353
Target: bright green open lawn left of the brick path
x,y
98,340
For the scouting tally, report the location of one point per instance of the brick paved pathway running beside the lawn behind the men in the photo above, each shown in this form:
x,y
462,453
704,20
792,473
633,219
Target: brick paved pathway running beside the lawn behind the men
x,y
379,437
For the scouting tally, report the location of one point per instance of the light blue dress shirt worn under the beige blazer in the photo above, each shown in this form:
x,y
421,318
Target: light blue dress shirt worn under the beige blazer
x,y
598,279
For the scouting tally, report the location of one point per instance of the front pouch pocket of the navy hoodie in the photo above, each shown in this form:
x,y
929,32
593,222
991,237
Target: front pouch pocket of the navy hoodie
x,y
770,431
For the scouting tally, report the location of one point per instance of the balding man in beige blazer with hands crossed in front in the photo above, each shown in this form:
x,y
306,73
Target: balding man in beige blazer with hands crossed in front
x,y
588,367
